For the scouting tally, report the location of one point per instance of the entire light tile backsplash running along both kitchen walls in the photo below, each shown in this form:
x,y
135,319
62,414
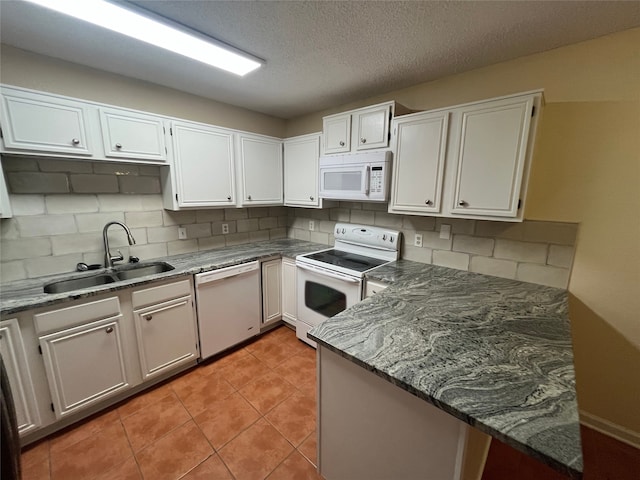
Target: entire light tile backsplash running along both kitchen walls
x,y
60,208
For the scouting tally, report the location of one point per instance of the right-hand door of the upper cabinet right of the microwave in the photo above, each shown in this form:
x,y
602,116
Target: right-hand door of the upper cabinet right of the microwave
x,y
491,156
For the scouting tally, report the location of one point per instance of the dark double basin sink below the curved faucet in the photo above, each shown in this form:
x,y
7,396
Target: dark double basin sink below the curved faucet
x,y
118,274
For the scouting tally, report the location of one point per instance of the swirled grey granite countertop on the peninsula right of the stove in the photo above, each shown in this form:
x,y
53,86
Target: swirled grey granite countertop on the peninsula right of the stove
x,y
493,352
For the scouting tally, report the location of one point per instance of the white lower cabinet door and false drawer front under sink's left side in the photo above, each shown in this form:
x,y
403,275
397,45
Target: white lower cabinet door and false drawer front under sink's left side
x,y
84,354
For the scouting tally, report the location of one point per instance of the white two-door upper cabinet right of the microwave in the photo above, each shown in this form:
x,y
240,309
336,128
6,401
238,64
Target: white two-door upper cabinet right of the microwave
x,y
485,149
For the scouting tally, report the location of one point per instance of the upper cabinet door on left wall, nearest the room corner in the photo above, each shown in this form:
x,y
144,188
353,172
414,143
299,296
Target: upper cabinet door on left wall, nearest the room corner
x,y
261,164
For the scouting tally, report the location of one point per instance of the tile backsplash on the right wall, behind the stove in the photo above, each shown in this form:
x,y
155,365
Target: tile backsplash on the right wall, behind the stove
x,y
535,252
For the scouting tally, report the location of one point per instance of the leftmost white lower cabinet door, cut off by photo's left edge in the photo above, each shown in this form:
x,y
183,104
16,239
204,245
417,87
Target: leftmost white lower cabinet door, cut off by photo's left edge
x,y
15,362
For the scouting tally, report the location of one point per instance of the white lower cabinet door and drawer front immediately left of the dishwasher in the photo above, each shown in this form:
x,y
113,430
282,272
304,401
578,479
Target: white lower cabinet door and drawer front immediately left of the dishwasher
x,y
165,323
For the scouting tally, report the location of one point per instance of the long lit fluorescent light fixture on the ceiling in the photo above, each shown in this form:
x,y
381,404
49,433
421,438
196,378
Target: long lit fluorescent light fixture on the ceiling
x,y
140,27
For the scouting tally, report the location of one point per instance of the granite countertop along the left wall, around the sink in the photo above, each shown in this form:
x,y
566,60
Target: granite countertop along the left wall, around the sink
x,y
27,294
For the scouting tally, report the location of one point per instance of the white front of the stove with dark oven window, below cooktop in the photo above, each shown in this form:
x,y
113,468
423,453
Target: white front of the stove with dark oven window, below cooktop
x,y
322,293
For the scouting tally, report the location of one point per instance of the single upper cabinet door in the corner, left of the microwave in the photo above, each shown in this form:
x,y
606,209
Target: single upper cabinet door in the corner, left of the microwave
x,y
301,171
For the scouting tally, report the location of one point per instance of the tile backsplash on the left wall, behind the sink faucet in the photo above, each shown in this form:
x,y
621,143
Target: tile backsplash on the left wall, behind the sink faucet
x,y
60,208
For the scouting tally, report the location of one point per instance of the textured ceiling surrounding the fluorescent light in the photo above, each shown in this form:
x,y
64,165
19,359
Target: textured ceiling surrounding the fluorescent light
x,y
322,53
